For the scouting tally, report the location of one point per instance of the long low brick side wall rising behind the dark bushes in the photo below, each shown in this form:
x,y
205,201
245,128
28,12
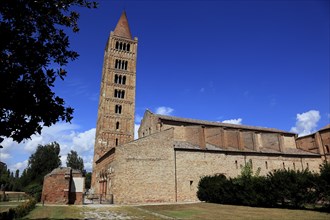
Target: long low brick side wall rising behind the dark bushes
x,y
192,165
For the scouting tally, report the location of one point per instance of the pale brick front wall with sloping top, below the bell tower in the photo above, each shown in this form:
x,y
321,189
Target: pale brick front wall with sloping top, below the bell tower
x,y
144,170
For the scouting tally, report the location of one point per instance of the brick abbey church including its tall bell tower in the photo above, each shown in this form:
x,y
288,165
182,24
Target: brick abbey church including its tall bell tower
x,y
171,154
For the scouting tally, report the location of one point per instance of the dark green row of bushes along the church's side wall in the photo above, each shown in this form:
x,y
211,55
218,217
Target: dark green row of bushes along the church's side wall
x,y
280,188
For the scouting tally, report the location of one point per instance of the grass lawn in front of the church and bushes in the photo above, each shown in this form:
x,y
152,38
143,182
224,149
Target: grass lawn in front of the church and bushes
x,y
174,211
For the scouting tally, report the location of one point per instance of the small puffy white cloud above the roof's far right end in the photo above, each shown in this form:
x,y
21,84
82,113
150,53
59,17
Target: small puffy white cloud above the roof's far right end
x,y
306,122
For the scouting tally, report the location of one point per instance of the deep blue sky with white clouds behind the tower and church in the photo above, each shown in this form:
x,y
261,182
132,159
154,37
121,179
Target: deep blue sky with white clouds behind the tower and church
x,y
258,63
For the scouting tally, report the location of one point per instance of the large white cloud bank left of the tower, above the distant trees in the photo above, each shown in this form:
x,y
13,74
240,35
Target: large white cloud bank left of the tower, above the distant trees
x,y
68,137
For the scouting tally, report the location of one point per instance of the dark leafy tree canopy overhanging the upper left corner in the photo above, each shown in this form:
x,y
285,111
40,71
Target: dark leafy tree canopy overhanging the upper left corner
x,y
33,50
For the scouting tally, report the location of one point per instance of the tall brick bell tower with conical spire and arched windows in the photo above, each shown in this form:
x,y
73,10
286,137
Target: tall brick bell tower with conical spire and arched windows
x,y
115,121
